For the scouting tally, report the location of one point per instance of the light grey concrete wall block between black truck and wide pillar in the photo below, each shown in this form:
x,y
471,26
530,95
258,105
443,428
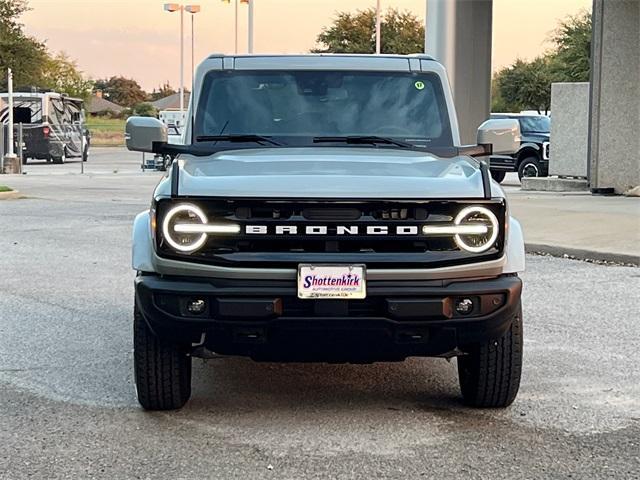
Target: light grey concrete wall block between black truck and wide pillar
x,y
569,129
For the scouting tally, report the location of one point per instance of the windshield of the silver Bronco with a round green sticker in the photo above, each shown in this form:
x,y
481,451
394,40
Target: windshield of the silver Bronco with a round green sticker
x,y
298,106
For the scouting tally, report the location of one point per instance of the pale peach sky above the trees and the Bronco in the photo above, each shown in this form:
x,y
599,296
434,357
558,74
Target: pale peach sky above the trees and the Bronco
x,y
137,39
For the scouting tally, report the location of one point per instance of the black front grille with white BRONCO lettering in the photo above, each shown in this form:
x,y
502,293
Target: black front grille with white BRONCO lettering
x,y
337,242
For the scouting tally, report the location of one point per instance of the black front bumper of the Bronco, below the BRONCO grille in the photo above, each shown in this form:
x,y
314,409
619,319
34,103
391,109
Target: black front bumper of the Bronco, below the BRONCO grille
x,y
264,319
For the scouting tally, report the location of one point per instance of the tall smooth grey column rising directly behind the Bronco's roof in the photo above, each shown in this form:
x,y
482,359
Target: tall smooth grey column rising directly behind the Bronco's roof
x,y
458,34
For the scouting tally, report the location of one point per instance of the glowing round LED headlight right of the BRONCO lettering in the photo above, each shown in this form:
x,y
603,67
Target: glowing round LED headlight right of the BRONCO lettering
x,y
484,239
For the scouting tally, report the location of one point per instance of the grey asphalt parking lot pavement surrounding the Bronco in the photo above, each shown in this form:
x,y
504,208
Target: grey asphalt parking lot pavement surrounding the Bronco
x,y
67,400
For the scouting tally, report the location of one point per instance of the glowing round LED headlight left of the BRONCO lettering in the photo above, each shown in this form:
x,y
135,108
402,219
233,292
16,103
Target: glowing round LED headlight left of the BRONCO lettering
x,y
181,238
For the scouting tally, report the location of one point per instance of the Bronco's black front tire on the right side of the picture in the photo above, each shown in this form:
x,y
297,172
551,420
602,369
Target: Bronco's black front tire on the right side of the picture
x,y
490,373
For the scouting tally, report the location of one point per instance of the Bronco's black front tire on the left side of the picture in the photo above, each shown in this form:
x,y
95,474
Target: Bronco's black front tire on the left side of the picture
x,y
162,369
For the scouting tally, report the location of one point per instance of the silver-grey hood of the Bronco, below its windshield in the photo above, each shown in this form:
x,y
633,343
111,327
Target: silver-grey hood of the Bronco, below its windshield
x,y
327,172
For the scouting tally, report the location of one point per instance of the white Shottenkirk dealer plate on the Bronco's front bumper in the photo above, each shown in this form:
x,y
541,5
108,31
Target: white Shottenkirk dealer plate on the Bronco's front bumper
x,y
332,281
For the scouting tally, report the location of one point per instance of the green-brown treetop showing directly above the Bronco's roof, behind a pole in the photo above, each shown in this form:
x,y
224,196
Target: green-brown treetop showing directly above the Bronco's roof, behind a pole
x,y
401,33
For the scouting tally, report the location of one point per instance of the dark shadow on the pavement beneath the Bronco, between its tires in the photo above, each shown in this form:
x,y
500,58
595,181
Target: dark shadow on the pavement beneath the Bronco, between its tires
x,y
231,384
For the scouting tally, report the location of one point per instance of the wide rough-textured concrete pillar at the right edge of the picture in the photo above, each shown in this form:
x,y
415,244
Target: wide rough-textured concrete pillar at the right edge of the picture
x,y
614,143
